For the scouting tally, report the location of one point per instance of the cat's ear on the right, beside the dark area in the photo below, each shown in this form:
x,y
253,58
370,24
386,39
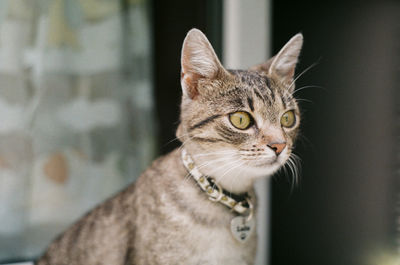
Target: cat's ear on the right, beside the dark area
x,y
284,63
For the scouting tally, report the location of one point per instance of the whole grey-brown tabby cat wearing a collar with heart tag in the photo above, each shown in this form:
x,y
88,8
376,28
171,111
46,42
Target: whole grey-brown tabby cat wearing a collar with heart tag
x,y
196,205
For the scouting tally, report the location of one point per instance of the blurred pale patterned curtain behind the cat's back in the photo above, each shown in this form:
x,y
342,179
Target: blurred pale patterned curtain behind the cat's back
x,y
76,112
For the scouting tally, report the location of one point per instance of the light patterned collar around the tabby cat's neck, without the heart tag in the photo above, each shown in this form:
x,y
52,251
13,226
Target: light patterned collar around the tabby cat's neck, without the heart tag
x,y
240,203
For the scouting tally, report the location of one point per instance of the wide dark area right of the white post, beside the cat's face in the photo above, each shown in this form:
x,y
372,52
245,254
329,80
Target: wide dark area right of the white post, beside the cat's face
x,y
343,211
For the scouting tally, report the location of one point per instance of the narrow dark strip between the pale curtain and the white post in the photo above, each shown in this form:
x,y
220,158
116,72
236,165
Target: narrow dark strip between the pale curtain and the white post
x,y
171,21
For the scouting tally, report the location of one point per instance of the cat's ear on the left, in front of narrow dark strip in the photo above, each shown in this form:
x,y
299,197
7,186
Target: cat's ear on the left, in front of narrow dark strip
x,y
198,60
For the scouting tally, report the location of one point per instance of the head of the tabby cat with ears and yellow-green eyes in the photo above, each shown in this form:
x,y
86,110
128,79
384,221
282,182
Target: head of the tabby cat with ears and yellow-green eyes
x,y
238,125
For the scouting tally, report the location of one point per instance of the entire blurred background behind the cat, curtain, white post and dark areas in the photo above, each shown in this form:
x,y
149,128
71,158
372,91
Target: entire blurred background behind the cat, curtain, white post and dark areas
x,y
90,93
